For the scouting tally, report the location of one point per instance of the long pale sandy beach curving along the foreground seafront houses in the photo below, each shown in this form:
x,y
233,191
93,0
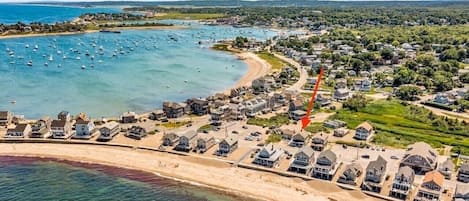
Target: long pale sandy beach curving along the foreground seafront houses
x,y
209,172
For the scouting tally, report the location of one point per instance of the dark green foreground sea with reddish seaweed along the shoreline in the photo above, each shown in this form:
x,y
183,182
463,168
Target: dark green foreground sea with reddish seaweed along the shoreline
x,y
46,179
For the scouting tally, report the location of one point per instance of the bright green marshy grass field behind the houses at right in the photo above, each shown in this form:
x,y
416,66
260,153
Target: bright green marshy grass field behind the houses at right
x,y
399,125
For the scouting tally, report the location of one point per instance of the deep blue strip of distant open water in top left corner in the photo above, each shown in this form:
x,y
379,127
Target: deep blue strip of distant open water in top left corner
x,y
12,13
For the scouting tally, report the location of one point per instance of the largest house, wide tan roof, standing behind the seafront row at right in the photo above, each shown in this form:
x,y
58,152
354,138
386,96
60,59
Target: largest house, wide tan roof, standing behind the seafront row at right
x,y
421,157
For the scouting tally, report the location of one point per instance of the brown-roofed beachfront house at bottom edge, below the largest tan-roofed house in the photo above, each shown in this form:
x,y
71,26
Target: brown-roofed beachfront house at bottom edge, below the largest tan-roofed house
x,y
431,187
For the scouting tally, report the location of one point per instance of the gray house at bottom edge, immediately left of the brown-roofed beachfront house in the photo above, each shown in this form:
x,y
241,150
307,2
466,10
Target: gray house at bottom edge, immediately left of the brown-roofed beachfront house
x,y
402,183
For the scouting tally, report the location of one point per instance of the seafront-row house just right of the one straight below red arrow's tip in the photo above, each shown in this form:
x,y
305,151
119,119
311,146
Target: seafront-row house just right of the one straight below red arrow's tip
x,y
325,166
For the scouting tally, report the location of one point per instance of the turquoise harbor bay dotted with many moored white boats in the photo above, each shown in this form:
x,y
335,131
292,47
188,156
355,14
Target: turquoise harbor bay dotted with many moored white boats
x,y
105,74
